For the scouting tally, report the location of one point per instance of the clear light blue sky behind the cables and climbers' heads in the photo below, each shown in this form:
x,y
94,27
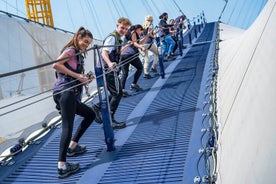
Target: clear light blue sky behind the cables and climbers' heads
x,y
100,16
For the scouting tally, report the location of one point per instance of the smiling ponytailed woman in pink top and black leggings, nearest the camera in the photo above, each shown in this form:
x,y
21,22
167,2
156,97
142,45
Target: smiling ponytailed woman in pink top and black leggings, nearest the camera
x,y
67,94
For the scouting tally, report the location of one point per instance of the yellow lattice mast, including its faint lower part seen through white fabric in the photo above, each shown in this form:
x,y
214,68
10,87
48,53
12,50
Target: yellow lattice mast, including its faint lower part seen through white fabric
x,y
40,11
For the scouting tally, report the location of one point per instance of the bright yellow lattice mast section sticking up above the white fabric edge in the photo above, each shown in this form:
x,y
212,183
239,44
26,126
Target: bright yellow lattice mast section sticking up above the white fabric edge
x,y
40,11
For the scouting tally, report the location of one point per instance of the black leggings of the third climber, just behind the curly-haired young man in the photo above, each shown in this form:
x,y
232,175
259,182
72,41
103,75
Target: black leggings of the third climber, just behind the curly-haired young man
x,y
136,62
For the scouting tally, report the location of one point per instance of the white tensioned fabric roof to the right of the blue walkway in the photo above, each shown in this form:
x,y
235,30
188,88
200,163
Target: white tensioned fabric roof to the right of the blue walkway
x,y
247,102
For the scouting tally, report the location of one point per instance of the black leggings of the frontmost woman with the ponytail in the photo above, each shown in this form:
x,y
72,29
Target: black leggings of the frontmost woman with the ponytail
x,y
69,106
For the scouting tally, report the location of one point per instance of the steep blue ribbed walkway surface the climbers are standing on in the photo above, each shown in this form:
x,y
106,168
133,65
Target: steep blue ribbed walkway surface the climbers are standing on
x,y
153,148
